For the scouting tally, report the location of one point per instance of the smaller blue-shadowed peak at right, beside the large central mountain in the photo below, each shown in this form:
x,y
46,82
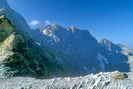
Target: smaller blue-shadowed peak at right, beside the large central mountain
x,y
115,56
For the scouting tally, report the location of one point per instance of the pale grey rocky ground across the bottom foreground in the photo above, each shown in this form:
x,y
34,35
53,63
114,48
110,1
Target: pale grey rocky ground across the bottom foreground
x,y
114,80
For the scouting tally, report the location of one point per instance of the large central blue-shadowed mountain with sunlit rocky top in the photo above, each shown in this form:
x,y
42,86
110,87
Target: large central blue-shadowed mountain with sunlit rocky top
x,y
79,46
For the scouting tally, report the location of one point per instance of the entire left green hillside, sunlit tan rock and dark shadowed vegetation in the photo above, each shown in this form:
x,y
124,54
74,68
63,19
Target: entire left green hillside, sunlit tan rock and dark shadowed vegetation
x,y
27,58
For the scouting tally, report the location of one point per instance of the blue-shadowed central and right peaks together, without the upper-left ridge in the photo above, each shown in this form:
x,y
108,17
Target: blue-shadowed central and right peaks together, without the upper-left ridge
x,y
82,48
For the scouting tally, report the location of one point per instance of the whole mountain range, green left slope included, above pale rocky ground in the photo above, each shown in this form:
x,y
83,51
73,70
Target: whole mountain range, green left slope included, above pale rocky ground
x,y
54,50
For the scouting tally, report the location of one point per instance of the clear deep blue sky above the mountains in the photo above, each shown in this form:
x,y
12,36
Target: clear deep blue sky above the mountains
x,y
111,19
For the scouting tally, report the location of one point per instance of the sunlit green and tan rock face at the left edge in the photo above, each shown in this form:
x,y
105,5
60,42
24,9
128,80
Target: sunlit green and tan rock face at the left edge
x,y
6,38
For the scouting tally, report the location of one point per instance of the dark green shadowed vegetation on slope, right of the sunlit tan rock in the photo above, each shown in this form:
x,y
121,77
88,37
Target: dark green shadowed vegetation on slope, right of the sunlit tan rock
x,y
28,59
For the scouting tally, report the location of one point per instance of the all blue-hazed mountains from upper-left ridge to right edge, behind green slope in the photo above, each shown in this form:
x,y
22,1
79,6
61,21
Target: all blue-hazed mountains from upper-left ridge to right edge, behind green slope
x,y
74,48
